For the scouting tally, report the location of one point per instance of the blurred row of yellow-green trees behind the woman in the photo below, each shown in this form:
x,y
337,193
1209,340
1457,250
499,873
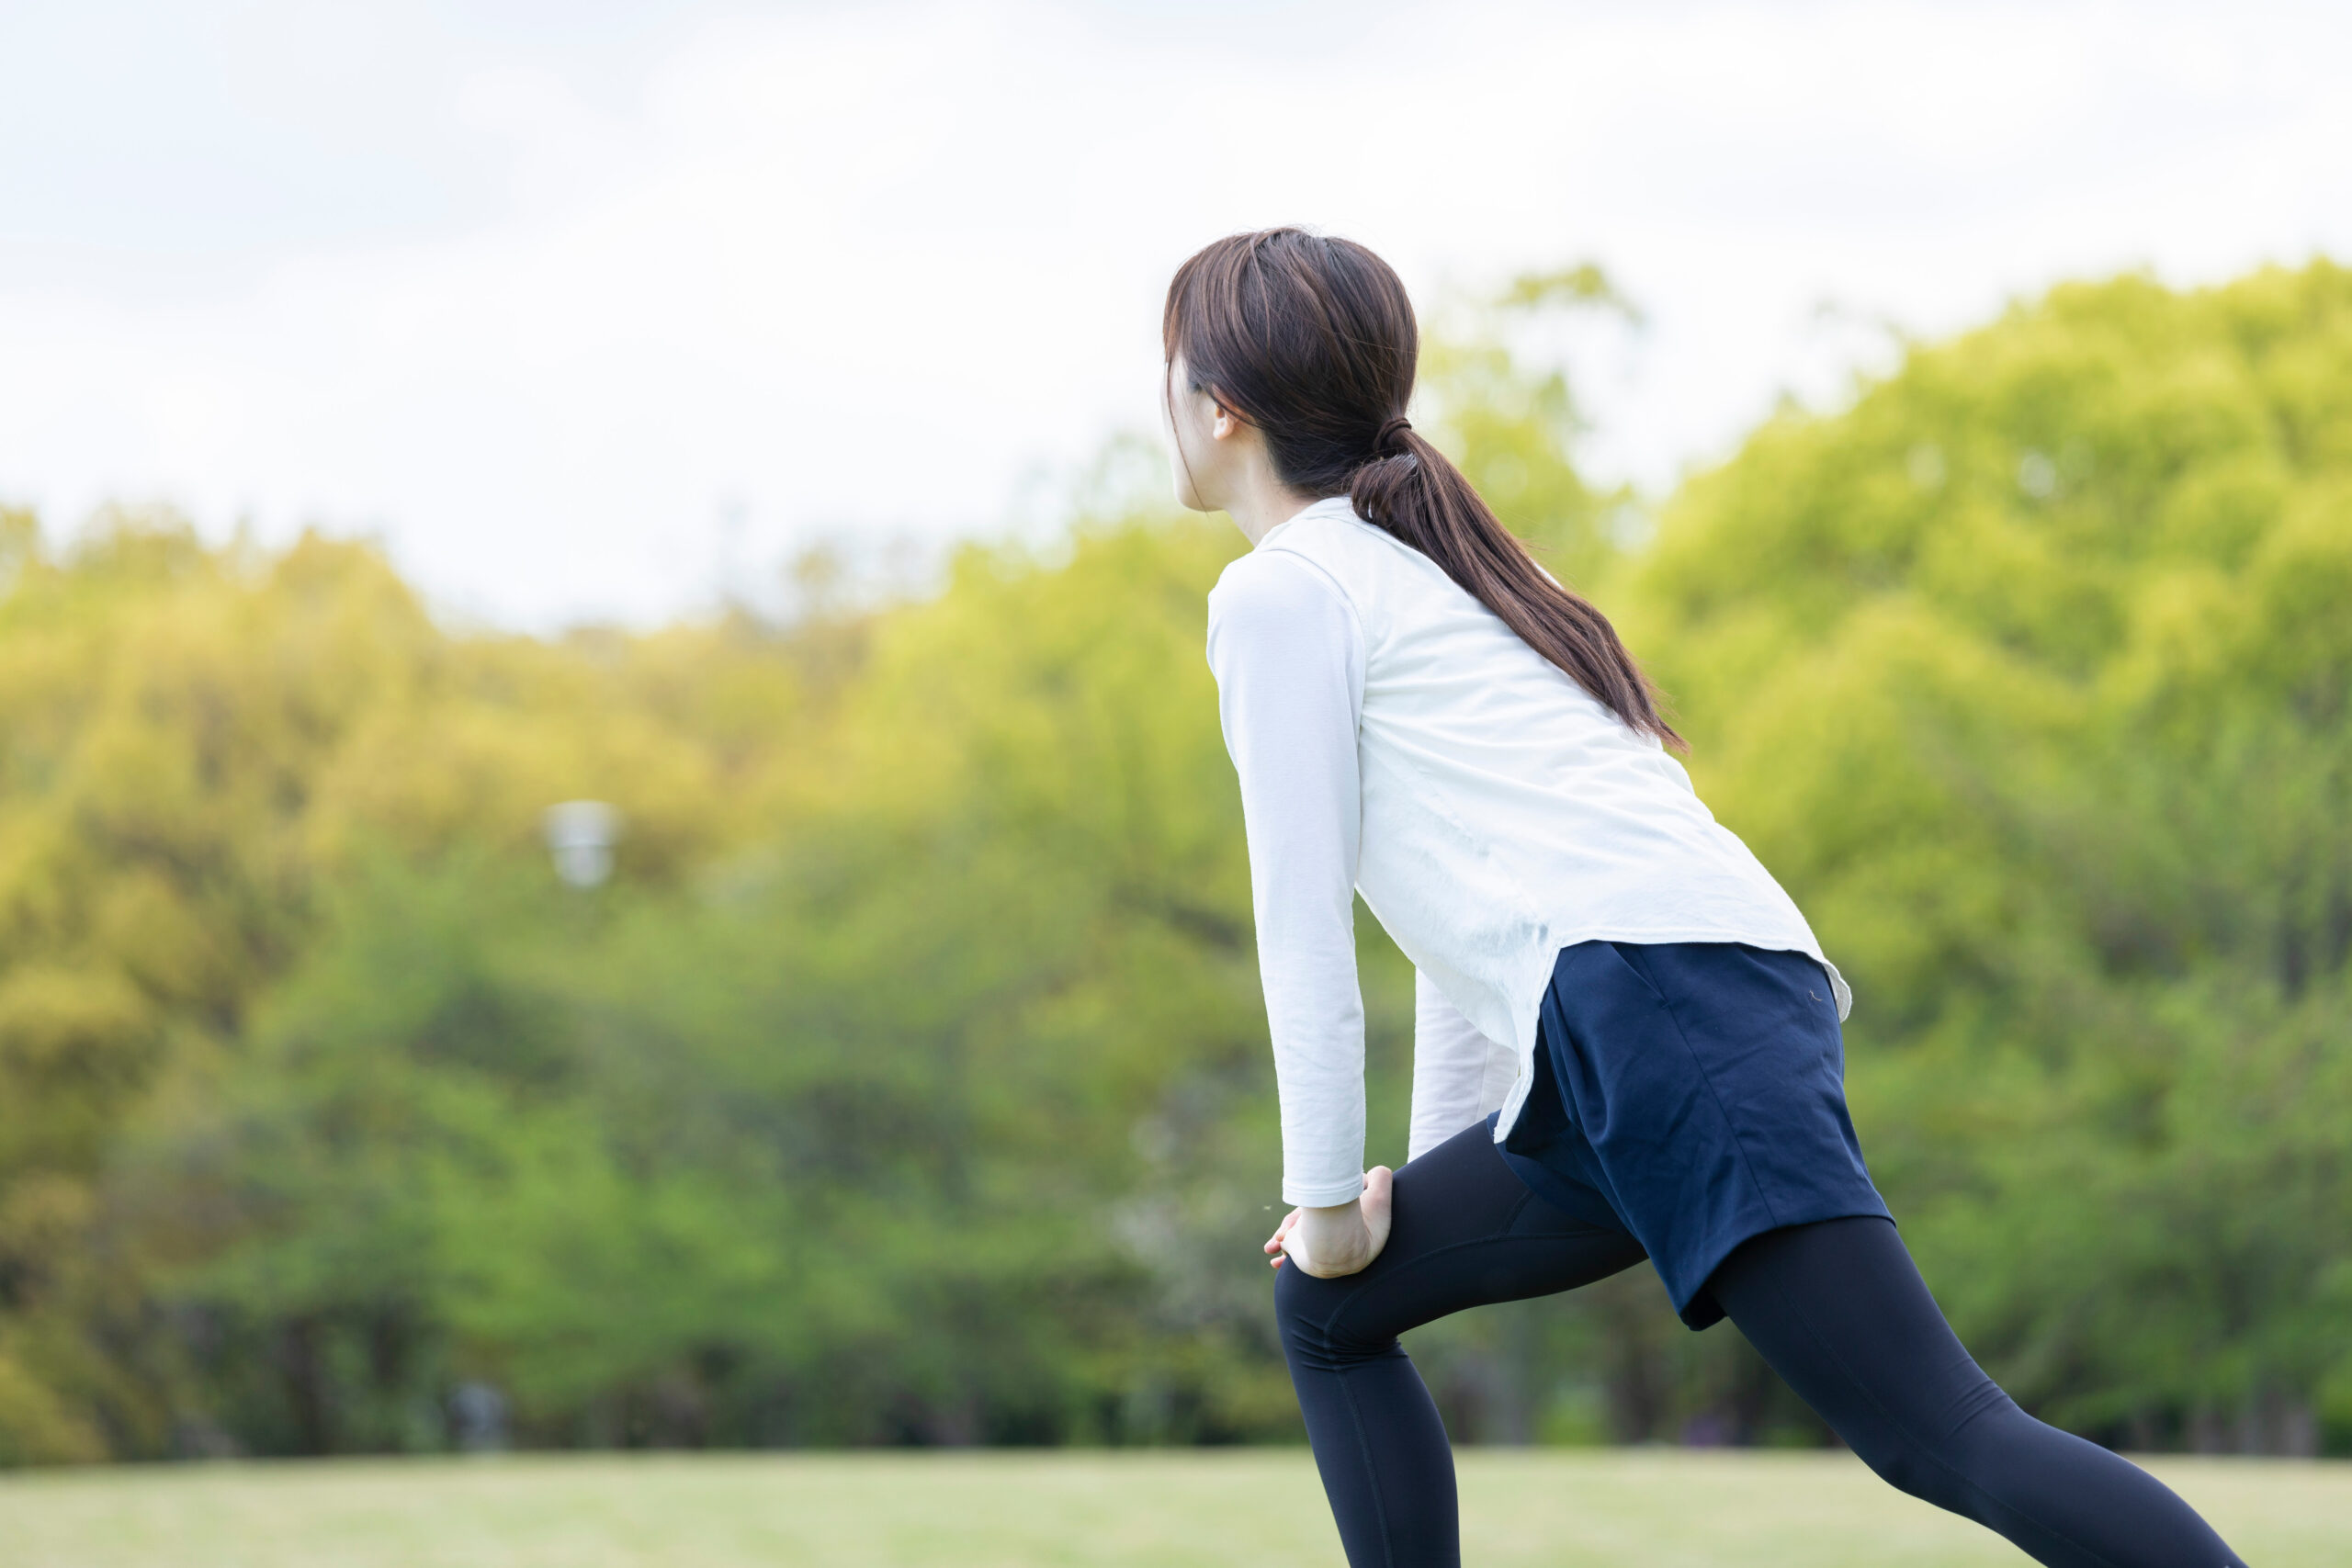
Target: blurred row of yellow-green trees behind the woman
x,y
907,1083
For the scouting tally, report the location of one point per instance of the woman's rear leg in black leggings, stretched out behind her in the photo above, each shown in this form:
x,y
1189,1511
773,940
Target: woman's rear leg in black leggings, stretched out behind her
x,y
1845,1318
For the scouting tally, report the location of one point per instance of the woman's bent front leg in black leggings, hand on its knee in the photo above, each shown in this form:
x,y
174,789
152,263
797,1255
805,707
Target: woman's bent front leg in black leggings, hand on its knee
x,y
1466,1233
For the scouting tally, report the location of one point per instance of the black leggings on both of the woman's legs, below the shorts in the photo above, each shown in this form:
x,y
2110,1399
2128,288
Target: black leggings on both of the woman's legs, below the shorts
x,y
1836,1308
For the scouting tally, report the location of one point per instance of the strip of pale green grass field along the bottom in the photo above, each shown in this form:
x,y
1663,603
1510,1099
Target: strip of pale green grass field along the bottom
x,y
1078,1510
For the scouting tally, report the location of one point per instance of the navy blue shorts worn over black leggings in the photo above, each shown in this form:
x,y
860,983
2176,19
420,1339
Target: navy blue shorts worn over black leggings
x,y
1690,1094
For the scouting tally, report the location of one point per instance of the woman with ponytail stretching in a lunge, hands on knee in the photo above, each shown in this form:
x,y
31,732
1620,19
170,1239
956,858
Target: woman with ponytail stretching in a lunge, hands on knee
x,y
1626,1036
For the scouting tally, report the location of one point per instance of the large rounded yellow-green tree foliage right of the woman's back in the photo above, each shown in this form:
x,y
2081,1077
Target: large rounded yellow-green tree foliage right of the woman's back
x,y
2029,676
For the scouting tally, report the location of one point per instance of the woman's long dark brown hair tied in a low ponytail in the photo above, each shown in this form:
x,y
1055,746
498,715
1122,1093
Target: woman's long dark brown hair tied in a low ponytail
x,y
1314,342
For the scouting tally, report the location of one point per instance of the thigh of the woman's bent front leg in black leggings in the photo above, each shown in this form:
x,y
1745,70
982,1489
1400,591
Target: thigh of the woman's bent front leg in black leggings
x,y
1464,1233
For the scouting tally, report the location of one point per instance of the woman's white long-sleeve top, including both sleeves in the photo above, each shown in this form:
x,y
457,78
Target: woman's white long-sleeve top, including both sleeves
x,y
1398,742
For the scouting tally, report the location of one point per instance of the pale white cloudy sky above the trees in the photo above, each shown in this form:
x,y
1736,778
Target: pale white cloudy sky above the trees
x,y
544,293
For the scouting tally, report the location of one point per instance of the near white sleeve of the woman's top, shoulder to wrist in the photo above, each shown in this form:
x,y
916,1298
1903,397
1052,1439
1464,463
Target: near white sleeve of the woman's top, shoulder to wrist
x,y
1290,678
